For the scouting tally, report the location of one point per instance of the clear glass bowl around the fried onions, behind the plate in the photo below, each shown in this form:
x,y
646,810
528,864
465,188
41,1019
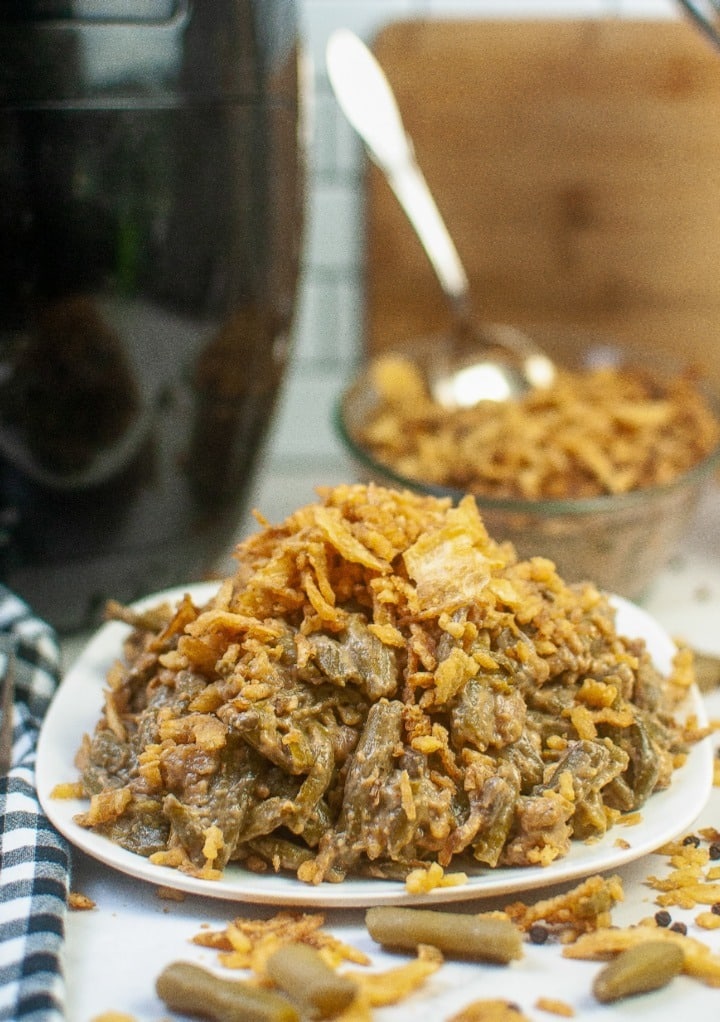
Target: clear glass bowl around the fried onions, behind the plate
x,y
620,542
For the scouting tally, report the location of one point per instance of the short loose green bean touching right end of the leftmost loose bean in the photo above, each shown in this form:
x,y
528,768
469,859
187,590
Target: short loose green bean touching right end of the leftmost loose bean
x,y
304,973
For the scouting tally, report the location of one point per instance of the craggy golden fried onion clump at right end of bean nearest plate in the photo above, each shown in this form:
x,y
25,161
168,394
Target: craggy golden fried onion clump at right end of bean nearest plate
x,y
582,910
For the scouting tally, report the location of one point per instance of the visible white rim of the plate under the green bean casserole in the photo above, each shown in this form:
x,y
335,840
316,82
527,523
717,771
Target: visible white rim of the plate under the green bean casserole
x,y
89,673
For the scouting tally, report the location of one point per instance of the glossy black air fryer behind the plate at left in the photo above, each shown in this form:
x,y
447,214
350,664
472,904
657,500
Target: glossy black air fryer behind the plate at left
x,y
151,198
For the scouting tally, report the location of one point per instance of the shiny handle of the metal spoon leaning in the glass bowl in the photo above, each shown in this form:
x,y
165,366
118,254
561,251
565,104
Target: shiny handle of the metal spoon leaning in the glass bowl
x,y
367,101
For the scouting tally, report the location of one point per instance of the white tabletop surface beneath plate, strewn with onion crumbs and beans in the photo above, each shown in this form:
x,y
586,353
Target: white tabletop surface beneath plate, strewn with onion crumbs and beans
x,y
115,952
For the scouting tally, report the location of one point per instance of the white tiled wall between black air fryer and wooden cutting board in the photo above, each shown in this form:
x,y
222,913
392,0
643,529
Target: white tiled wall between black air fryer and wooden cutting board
x,y
304,451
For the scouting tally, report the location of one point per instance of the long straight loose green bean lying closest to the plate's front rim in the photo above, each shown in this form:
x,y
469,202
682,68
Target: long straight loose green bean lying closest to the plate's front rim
x,y
482,939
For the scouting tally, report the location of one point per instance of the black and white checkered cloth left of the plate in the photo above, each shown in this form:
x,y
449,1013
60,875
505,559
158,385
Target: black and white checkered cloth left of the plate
x,y
34,859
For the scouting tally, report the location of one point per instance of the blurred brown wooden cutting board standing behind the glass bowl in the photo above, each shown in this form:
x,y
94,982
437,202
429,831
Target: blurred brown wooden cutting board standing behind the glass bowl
x,y
578,164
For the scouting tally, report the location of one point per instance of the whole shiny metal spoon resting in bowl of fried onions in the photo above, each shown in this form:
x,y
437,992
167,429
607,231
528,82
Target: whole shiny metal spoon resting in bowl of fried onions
x,y
498,363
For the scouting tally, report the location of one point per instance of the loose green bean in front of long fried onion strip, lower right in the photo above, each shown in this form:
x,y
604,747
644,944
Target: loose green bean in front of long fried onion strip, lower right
x,y
637,970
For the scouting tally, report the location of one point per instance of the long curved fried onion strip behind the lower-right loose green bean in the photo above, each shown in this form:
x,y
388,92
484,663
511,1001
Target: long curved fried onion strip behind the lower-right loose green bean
x,y
700,961
